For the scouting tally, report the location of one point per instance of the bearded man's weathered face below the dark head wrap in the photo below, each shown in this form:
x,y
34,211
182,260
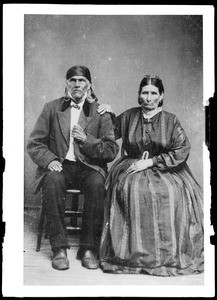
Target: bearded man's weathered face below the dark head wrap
x,y
77,87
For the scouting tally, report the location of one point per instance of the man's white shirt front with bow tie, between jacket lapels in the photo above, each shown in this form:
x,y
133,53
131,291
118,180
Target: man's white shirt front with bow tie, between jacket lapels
x,y
75,113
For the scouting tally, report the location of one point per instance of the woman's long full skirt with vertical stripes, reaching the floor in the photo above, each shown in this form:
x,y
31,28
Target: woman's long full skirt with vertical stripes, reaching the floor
x,y
153,222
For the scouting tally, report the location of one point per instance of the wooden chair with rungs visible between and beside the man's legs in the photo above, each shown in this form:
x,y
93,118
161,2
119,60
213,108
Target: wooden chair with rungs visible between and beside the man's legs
x,y
72,213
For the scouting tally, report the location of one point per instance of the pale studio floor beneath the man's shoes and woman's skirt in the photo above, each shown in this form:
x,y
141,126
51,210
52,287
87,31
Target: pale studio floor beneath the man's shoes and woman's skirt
x,y
39,272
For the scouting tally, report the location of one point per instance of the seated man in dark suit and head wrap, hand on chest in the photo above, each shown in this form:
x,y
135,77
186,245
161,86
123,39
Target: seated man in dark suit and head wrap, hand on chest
x,y
71,144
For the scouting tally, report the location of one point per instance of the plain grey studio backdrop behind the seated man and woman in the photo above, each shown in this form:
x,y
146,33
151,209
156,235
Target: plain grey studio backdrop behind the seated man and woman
x,y
119,50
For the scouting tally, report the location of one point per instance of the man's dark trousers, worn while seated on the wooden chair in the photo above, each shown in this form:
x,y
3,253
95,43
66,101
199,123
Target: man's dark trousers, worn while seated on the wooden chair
x,y
78,176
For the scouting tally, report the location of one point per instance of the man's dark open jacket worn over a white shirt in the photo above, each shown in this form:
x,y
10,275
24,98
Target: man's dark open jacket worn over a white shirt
x,y
50,138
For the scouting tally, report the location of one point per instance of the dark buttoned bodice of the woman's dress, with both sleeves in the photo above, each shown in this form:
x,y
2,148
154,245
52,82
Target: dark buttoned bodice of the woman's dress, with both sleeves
x,y
162,136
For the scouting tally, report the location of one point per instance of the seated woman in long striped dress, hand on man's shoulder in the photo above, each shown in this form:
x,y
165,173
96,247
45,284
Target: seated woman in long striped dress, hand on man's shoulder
x,y
153,221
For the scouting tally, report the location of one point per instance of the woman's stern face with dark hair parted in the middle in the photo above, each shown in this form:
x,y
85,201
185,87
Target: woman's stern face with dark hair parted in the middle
x,y
150,97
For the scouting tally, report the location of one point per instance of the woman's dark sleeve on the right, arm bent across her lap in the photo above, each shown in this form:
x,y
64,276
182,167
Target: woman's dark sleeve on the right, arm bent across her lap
x,y
178,152
